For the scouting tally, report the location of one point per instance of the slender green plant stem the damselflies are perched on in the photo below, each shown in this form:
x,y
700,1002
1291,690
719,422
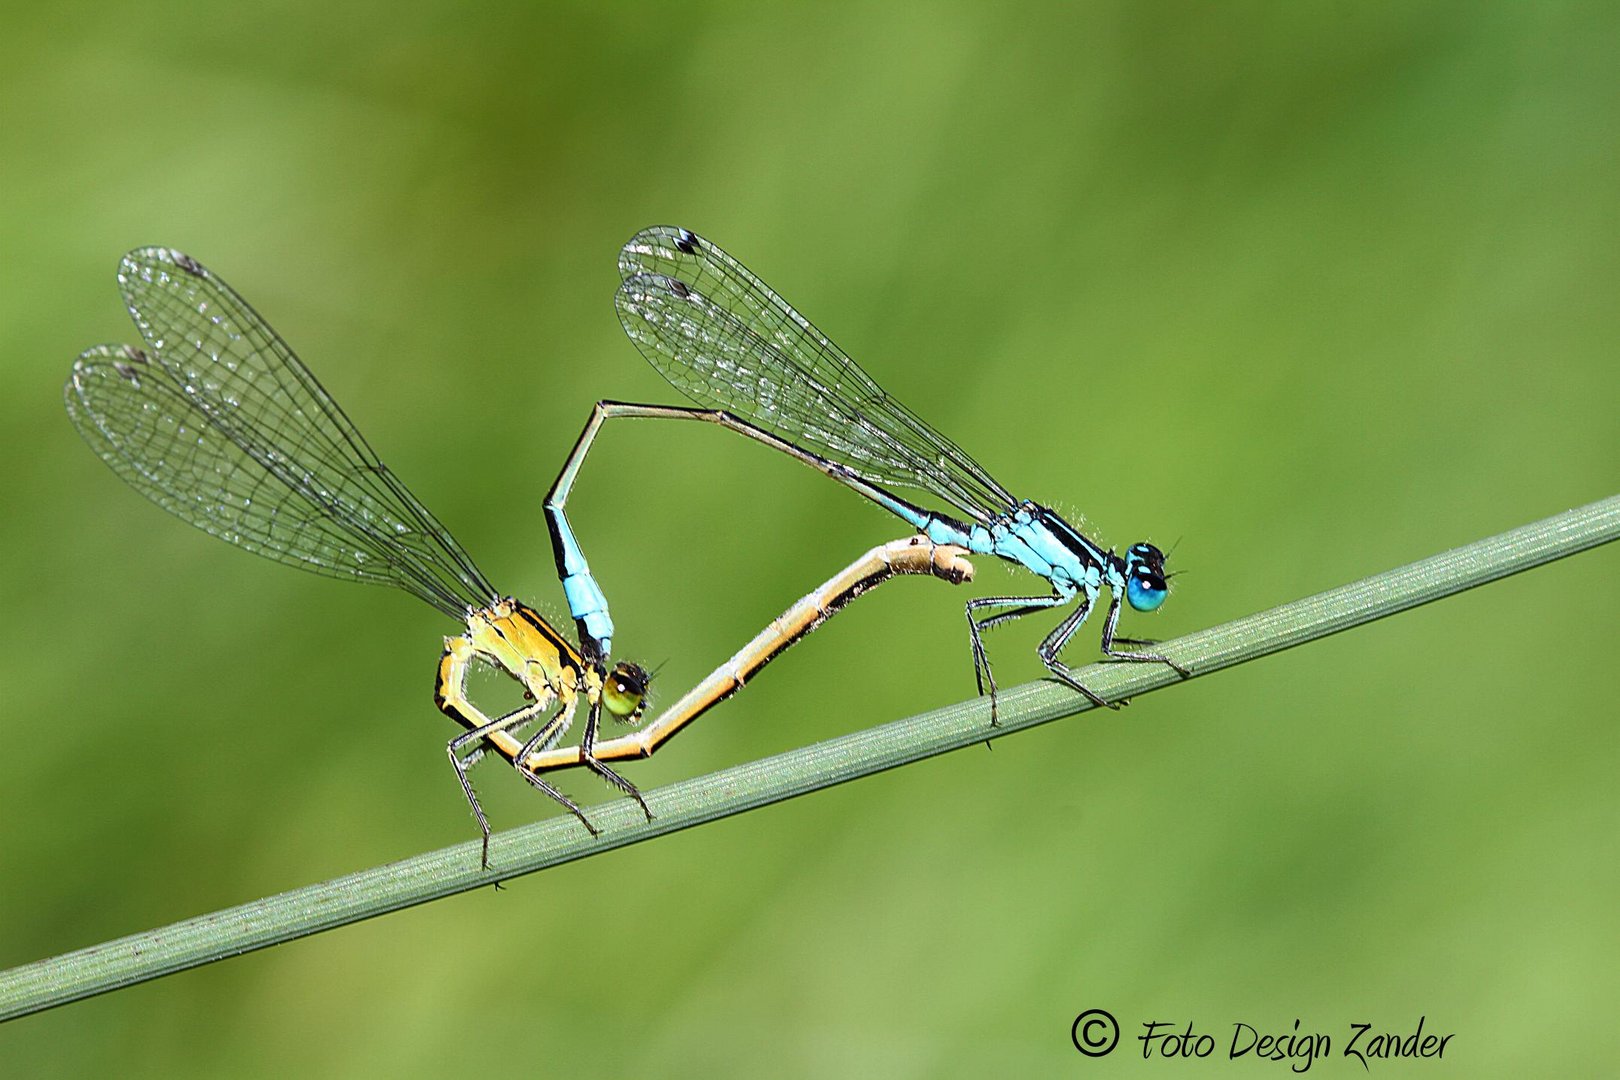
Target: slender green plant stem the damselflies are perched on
x,y
273,921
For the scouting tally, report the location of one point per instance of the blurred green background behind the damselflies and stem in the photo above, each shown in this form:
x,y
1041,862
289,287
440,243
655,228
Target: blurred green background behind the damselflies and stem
x,y
1307,291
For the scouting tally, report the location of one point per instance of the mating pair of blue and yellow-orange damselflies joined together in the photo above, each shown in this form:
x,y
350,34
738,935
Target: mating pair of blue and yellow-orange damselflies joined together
x,y
216,420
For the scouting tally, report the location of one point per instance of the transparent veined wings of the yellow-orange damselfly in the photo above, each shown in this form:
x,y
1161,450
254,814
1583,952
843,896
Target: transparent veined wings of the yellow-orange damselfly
x,y
220,423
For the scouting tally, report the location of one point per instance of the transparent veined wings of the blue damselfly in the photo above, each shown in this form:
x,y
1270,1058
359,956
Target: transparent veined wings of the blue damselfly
x,y
727,341
